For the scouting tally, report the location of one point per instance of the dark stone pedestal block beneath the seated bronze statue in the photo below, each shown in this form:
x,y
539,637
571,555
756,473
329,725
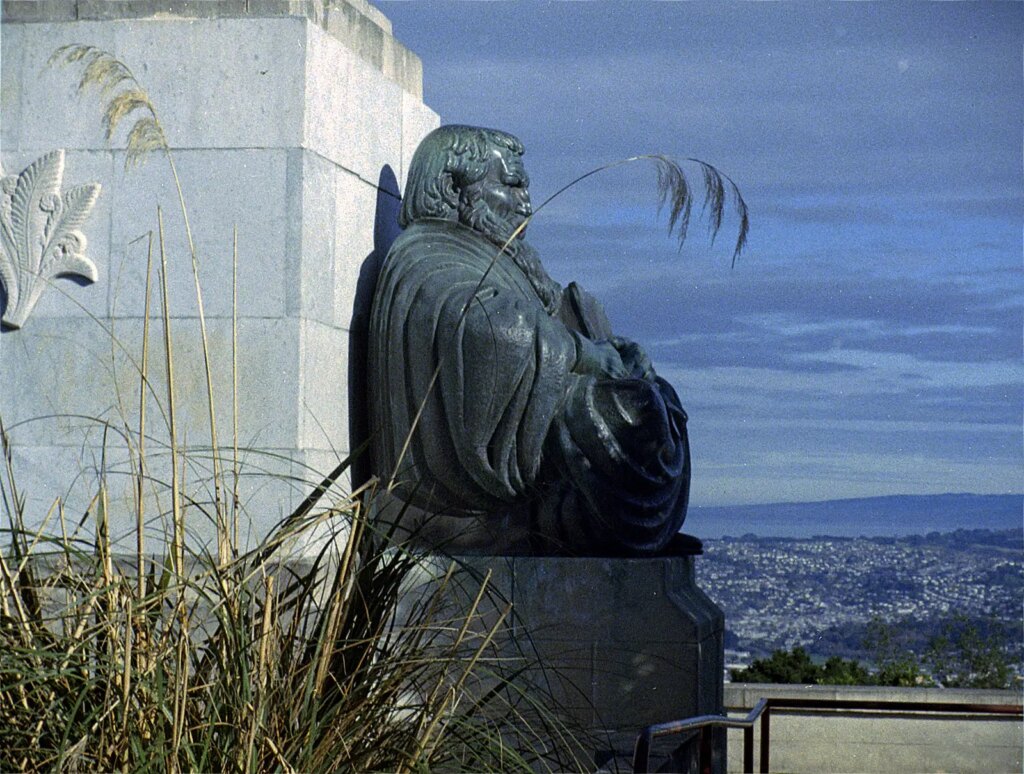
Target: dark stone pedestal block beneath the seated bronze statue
x,y
615,646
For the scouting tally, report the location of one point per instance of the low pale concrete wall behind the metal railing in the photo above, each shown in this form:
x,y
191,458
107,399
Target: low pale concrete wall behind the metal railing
x,y
847,742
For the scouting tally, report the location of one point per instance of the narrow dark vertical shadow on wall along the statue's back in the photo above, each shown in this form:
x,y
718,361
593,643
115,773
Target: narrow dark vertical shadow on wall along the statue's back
x,y
387,230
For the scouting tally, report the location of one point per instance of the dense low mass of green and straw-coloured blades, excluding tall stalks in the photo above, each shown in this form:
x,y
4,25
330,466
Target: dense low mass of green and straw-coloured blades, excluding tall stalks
x,y
254,665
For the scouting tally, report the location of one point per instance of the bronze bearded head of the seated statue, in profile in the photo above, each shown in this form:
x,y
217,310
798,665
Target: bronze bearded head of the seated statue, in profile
x,y
472,175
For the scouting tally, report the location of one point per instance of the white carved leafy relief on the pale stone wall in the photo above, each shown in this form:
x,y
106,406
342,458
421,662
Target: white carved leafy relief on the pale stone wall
x,y
39,234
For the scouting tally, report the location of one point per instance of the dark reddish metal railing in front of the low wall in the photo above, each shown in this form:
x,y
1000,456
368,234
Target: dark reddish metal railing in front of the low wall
x,y
706,724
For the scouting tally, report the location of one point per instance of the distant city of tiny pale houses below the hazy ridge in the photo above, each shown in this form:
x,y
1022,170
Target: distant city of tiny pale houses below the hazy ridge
x,y
821,592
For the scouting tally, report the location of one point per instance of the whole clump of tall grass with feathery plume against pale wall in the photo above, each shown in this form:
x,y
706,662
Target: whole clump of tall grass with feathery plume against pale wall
x,y
364,658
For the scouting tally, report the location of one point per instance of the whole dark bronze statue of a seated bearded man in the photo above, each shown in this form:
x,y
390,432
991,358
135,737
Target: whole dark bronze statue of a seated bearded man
x,y
499,398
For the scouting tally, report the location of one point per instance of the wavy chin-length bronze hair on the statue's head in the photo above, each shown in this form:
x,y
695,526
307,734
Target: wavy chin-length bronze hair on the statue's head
x,y
449,159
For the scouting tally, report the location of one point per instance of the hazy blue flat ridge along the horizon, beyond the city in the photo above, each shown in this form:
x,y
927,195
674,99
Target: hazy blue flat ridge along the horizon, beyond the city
x,y
889,517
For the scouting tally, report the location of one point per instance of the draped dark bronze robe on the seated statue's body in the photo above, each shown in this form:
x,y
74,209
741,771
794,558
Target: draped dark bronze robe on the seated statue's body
x,y
463,348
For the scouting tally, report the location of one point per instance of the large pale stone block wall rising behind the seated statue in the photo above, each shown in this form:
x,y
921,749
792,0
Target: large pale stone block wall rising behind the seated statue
x,y
292,121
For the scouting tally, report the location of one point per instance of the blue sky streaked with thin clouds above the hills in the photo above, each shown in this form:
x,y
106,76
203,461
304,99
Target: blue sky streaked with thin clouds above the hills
x,y
869,340
